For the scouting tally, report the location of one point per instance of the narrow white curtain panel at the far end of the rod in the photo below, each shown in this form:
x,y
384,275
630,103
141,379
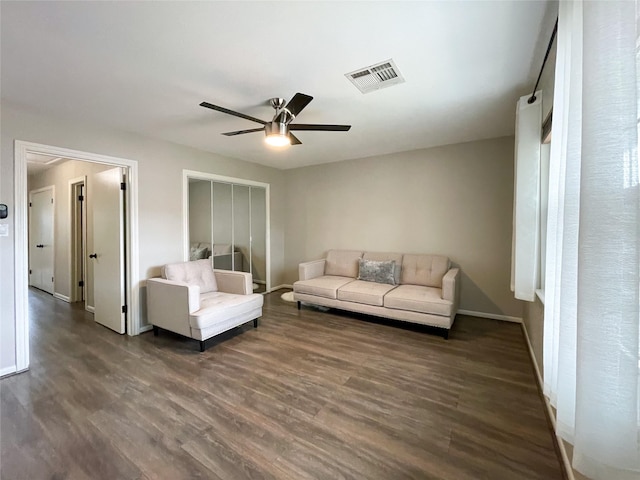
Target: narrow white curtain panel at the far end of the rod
x,y
525,249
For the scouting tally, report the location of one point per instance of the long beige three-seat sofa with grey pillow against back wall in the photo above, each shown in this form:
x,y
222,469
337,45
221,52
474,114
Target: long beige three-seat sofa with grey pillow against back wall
x,y
422,288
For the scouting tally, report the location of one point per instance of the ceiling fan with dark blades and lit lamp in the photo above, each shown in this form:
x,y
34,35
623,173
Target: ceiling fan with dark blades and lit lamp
x,y
278,130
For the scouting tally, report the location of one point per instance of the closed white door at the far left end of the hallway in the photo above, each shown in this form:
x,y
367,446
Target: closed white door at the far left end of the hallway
x,y
41,254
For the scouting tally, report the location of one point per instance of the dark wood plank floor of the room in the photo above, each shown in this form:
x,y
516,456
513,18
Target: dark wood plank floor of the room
x,y
307,395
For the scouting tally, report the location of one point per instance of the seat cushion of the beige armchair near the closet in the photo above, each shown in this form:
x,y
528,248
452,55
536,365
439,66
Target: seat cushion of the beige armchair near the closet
x,y
217,307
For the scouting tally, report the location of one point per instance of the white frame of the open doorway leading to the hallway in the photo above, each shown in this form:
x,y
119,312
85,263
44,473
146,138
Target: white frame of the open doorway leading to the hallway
x,y
130,263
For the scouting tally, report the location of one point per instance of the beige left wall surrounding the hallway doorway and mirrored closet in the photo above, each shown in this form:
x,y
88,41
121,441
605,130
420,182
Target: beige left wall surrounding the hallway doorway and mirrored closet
x,y
160,195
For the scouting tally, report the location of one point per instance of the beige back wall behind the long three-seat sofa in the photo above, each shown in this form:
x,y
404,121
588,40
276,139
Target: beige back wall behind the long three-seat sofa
x,y
454,200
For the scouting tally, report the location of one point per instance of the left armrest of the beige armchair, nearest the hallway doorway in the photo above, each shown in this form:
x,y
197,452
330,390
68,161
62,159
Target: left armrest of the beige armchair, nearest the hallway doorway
x,y
169,304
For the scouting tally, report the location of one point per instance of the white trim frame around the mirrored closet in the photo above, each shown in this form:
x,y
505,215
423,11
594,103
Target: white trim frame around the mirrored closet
x,y
192,174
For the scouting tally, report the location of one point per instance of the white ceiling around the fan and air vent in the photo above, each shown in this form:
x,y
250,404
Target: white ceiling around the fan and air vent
x,y
145,66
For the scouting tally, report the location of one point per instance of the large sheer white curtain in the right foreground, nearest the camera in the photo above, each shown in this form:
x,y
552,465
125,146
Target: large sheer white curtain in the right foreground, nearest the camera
x,y
592,293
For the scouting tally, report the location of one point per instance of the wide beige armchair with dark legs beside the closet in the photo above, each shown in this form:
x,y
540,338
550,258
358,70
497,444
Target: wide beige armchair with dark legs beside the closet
x,y
196,301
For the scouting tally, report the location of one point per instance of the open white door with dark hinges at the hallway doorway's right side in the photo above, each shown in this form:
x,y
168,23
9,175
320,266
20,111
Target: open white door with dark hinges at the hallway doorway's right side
x,y
108,249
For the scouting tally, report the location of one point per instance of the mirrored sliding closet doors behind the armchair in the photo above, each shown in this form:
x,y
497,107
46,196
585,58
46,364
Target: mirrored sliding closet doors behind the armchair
x,y
227,222
